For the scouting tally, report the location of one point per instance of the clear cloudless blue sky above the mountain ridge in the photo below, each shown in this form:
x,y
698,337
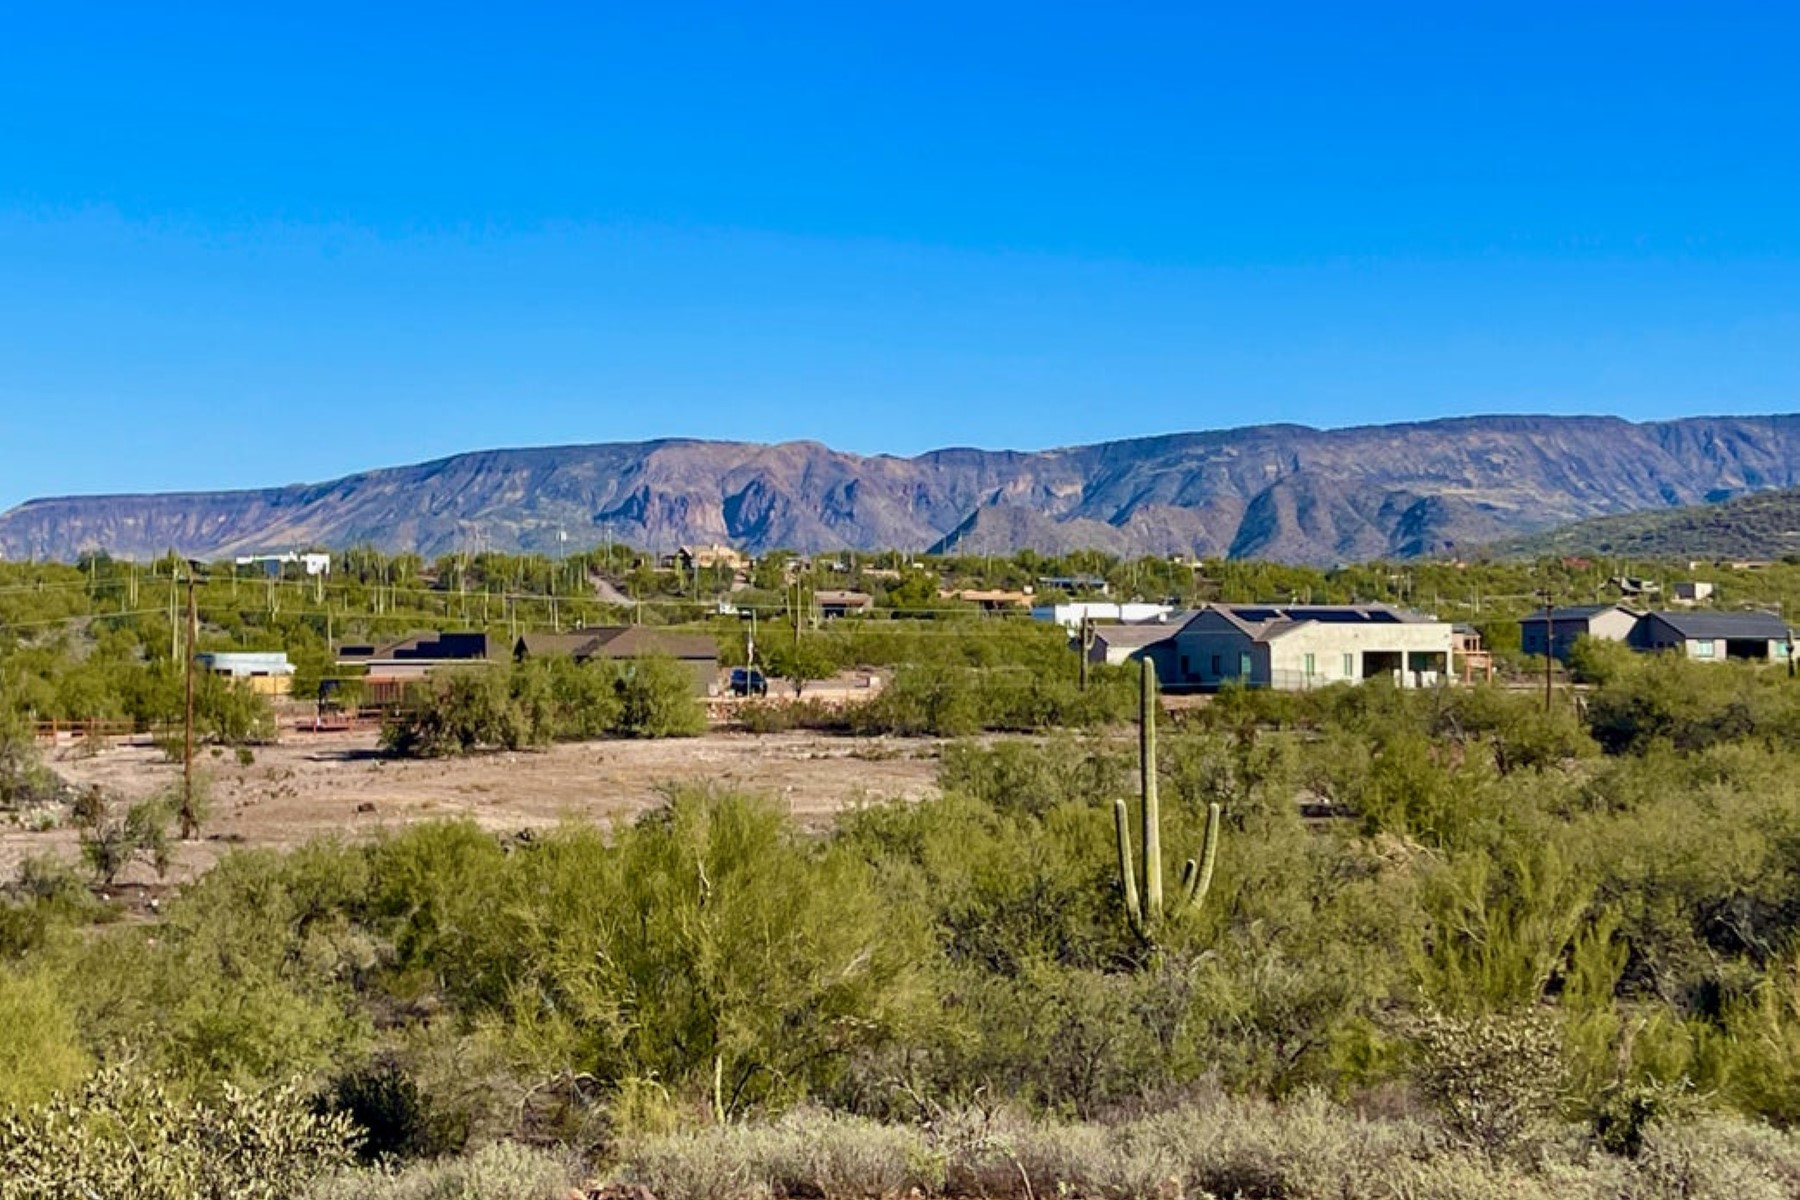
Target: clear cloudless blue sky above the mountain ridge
x,y
244,246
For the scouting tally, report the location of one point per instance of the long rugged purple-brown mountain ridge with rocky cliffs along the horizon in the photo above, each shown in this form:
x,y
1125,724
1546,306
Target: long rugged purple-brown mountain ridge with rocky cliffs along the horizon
x,y
1275,492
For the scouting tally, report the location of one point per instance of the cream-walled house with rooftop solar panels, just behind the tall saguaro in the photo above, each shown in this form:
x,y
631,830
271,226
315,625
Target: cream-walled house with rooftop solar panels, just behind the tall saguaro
x,y
1299,647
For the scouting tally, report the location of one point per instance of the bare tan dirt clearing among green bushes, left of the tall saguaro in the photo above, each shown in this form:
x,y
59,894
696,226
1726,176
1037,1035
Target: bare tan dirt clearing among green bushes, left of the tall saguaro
x,y
316,785
